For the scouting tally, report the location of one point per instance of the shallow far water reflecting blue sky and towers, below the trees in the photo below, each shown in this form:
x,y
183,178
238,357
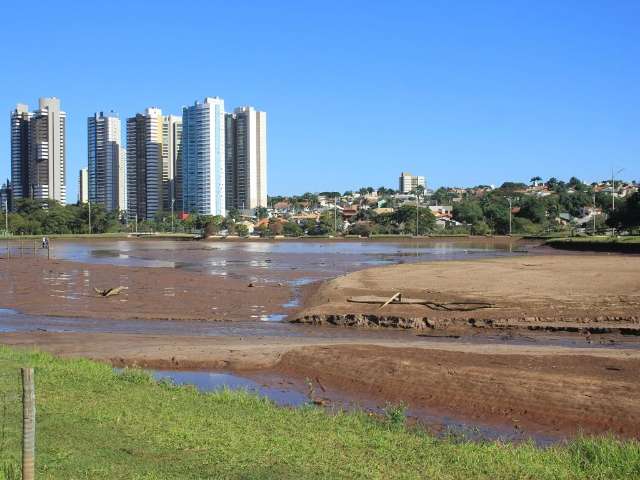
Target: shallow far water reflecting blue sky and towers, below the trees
x,y
271,260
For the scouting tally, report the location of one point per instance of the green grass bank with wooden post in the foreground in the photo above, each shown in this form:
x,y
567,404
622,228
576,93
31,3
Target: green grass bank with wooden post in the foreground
x,y
94,424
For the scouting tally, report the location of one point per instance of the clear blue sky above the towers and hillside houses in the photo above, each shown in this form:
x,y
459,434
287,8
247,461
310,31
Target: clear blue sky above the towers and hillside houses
x,y
463,92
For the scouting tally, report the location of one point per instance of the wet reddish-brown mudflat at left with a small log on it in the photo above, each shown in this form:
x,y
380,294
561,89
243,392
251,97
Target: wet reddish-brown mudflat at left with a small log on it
x,y
40,287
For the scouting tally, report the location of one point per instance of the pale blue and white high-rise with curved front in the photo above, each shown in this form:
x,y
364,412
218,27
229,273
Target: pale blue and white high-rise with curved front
x,y
203,157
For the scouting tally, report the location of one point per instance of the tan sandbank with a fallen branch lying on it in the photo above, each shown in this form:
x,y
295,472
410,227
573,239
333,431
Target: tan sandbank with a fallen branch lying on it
x,y
593,293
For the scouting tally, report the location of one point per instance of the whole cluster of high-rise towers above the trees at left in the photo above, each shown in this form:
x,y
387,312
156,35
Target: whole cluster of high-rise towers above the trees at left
x,y
206,160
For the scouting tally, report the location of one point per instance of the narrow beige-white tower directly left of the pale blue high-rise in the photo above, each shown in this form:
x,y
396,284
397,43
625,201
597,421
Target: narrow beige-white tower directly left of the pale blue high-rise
x,y
171,162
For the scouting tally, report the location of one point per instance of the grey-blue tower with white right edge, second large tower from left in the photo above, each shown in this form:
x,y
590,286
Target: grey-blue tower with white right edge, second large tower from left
x,y
105,161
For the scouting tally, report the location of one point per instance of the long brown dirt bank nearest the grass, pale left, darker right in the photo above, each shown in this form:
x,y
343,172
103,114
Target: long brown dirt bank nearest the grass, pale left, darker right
x,y
537,389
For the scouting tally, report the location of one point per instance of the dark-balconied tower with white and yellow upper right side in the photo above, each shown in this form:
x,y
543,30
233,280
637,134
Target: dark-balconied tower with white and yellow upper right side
x,y
144,164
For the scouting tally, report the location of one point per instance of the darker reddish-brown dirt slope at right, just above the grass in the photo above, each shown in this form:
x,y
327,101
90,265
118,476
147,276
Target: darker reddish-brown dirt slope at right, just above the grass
x,y
552,394
